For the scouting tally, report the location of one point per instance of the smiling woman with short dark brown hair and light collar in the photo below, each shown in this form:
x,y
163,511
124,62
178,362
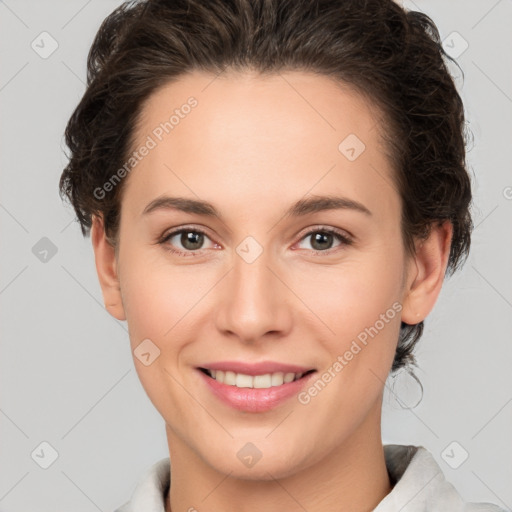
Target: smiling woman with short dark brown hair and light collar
x,y
217,147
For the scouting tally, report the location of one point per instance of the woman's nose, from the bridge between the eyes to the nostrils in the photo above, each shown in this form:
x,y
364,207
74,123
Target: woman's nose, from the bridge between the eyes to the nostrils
x,y
254,303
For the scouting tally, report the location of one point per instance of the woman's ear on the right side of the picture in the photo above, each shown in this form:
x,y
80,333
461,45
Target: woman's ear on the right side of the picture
x,y
426,276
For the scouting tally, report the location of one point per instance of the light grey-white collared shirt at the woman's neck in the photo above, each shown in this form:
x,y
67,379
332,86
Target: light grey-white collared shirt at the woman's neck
x,y
418,483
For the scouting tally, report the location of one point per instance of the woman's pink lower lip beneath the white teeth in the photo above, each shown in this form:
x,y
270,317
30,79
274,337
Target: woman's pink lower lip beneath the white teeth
x,y
255,399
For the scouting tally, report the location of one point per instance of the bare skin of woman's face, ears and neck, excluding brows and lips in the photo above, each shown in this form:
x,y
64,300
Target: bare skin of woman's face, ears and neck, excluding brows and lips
x,y
253,146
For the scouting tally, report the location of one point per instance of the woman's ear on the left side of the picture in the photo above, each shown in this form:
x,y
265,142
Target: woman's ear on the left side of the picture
x,y
106,267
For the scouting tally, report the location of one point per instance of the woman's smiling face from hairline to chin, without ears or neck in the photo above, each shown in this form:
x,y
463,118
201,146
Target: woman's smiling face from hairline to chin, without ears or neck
x,y
262,287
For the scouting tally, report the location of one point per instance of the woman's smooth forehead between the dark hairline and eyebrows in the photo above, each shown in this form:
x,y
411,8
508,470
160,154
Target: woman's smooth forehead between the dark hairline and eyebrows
x,y
248,136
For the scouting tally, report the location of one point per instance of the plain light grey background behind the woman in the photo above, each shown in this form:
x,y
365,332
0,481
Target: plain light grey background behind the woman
x,y
66,373
